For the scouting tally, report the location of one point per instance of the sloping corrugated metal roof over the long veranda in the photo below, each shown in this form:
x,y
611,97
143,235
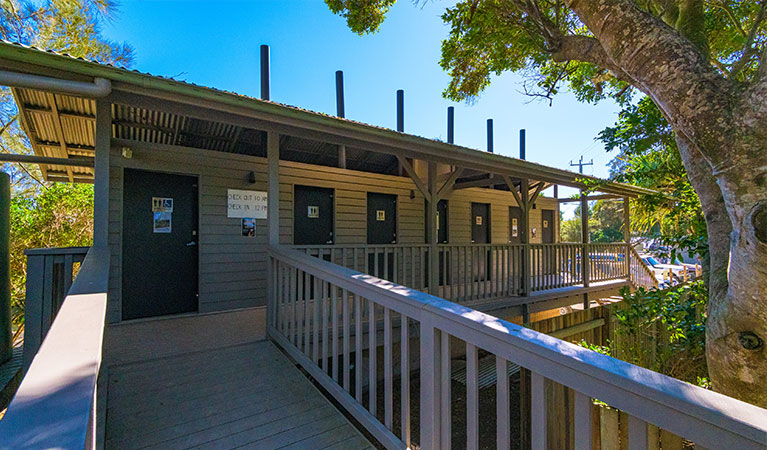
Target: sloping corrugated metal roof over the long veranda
x,y
166,127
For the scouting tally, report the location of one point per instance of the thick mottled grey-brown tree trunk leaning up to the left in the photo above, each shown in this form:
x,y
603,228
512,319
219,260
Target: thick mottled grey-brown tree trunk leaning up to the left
x,y
722,122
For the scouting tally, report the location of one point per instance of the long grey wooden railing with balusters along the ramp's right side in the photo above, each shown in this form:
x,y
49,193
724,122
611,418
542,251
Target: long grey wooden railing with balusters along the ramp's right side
x,y
338,332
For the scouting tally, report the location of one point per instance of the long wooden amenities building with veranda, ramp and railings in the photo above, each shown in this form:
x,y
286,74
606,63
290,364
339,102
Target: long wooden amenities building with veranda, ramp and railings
x,y
222,220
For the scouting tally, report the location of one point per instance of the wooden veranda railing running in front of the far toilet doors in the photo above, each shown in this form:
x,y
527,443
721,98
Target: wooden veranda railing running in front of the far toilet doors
x,y
468,272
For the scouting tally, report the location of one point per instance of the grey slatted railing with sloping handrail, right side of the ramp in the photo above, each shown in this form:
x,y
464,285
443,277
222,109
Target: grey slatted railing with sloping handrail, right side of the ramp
x,y
704,417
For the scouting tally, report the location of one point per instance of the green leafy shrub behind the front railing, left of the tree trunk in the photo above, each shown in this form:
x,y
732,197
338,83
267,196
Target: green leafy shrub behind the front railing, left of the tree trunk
x,y
664,330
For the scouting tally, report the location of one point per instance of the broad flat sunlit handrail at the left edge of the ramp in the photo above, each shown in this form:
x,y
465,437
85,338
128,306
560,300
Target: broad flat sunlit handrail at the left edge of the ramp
x,y
54,406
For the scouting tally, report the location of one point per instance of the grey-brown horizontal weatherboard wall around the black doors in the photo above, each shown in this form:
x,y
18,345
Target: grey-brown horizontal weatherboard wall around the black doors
x,y
232,268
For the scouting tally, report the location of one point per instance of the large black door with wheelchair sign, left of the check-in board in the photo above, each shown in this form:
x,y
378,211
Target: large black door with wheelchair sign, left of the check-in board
x,y
159,273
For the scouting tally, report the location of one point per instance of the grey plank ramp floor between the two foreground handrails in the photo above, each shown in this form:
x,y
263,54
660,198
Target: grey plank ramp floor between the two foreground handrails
x,y
247,395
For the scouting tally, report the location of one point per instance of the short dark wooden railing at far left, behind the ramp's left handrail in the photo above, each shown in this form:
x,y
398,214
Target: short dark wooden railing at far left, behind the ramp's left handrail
x,y
50,272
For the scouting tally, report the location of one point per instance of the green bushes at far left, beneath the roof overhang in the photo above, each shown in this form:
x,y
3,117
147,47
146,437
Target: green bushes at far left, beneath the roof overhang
x,y
59,216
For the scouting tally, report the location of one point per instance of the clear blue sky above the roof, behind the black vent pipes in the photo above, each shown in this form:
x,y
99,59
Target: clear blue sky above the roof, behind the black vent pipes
x,y
216,44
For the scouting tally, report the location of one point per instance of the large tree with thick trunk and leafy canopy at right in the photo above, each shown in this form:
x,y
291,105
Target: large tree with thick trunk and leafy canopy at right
x,y
702,65
